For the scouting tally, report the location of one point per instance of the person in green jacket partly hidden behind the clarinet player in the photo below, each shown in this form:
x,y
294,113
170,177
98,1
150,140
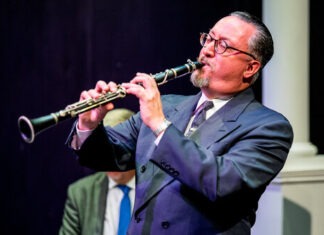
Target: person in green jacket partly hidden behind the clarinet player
x,y
92,204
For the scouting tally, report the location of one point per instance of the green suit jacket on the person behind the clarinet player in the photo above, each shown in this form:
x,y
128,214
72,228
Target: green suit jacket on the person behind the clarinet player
x,y
85,206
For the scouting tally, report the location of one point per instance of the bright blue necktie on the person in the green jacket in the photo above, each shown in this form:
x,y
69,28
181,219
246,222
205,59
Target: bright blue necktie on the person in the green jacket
x,y
125,211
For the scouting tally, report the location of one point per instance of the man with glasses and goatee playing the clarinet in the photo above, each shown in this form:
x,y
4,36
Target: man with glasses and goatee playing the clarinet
x,y
202,161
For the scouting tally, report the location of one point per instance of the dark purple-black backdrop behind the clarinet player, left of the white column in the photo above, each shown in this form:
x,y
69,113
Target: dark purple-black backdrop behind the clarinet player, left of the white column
x,y
51,50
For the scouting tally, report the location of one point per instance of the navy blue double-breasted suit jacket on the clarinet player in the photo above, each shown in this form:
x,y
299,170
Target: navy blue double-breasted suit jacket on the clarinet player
x,y
208,184
